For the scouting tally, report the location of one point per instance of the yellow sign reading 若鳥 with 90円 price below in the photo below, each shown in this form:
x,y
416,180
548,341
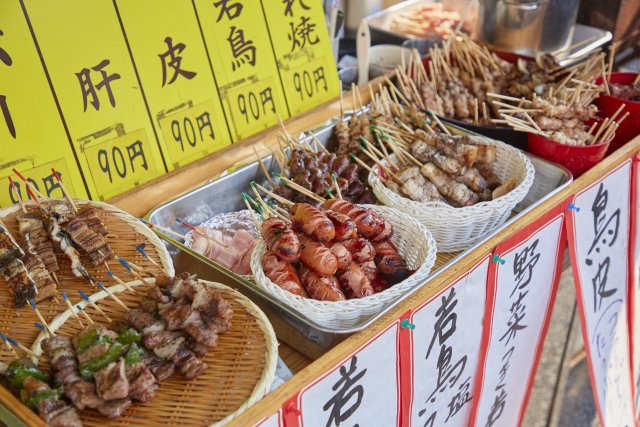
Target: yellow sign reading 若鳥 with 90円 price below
x,y
237,39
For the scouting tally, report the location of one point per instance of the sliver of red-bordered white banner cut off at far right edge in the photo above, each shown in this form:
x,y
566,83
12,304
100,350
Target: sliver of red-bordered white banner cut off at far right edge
x,y
634,290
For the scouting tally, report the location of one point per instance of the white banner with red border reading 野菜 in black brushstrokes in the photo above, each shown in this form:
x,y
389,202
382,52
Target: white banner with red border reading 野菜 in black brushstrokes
x,y
523,278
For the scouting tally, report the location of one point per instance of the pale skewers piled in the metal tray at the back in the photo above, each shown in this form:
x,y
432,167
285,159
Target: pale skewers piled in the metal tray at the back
x,y
426,20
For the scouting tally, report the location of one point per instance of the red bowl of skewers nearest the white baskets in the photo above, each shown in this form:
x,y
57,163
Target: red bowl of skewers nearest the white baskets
x,y
578,159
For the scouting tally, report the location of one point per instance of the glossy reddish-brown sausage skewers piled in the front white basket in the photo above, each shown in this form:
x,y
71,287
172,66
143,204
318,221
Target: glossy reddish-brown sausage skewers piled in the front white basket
x,y
336,252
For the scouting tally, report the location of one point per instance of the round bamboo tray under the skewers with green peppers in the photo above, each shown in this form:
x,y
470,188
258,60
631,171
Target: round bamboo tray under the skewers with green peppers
x,y
241,368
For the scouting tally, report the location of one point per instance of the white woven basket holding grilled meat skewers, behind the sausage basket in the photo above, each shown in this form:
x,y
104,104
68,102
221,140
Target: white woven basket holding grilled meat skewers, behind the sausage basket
x,y
456,229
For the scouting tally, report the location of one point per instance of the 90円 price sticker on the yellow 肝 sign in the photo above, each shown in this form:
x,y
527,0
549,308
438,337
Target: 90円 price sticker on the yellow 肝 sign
x,y
121,162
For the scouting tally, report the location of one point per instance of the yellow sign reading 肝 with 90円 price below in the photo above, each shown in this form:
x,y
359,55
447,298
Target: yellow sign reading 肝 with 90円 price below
x,y
102,104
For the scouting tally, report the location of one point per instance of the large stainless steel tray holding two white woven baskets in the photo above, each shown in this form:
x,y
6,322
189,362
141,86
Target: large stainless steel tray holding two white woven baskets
x,y
223,195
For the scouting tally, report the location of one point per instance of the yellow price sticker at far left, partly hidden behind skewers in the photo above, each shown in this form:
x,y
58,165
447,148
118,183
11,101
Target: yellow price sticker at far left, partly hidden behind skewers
x,y
41,177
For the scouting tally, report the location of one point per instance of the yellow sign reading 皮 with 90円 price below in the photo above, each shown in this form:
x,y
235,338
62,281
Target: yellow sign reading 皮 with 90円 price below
x,y
176,77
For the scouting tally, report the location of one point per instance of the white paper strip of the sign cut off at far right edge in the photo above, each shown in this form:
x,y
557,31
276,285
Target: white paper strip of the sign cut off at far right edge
x,y
636,299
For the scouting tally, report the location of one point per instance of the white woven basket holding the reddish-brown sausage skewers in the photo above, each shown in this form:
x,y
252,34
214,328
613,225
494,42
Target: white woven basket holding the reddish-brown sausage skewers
x,y
415,244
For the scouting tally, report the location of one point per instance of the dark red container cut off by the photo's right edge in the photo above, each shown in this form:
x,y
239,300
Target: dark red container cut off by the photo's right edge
x,y
608,105
